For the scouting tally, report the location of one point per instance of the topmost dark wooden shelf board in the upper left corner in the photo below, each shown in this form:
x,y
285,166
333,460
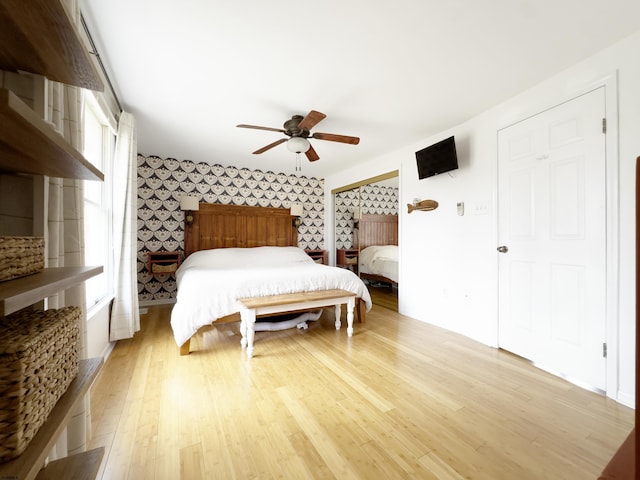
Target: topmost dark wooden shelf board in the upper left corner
x,y
38,37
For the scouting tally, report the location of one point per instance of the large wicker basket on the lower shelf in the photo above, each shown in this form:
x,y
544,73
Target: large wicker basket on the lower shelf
x,y
38,362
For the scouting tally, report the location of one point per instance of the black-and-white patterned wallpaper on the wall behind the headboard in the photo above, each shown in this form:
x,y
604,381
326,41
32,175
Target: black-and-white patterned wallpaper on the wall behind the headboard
x,y
161,183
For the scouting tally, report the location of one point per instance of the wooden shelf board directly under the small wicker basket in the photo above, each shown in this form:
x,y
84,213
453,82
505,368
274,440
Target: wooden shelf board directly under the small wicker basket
x,y
24,291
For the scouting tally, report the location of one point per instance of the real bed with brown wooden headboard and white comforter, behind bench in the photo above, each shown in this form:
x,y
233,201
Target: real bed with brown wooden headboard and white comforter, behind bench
x,y
234,252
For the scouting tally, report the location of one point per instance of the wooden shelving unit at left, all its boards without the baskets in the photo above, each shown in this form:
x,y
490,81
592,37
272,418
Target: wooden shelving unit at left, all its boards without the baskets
x,y
38,37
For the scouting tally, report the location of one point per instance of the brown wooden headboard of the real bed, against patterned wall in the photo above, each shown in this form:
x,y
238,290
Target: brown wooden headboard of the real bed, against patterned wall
x,y
221,226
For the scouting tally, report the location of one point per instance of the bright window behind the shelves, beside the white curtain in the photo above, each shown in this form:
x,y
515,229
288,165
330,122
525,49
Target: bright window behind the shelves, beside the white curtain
x,y
99,144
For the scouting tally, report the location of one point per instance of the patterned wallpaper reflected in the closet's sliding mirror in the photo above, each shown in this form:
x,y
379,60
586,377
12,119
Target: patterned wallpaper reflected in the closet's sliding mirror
x,y
372,199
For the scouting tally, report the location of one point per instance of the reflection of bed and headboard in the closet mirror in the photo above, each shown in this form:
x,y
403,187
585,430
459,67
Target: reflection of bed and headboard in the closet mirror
x,y
378,257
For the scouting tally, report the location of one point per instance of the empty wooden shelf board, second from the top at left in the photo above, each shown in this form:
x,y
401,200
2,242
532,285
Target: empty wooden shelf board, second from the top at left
x,y
28,144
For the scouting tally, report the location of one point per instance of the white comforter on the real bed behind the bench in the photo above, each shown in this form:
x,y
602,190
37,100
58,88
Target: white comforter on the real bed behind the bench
x,y
211,281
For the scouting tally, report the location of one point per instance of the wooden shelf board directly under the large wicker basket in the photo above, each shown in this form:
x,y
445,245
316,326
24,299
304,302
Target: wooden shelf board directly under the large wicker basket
x,y
29,463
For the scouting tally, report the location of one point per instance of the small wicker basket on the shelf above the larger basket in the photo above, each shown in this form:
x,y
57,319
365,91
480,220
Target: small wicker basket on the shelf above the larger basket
x,y
20,256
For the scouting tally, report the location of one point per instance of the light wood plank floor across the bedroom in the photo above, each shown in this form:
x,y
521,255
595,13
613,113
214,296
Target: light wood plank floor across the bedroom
x,y
401,399
